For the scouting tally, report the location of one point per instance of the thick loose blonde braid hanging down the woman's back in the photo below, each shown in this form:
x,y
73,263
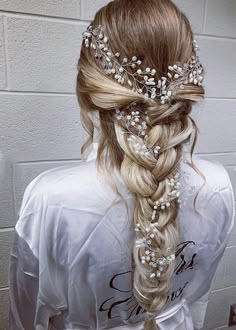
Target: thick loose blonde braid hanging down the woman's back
x,y
151,186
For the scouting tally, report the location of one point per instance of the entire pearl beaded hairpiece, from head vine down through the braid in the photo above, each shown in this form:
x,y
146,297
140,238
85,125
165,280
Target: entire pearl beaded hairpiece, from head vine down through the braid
x,y
143,81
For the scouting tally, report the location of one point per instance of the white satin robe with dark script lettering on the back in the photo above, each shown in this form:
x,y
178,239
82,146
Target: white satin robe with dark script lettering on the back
x,y
71,259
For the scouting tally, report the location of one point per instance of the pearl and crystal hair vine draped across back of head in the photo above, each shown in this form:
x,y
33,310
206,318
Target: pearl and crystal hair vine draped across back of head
x,y
143,81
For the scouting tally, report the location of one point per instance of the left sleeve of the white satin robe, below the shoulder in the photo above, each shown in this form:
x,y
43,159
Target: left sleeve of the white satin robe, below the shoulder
x,y
37,290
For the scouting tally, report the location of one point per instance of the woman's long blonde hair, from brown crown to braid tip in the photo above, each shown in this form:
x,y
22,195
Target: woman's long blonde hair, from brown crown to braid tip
x,y
159,34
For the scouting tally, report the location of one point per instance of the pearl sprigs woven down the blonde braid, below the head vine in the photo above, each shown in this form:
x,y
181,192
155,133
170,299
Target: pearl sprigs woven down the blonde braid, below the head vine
x,y
132,120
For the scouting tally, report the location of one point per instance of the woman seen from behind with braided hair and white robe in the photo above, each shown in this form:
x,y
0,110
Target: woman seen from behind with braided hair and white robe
x,y
132,236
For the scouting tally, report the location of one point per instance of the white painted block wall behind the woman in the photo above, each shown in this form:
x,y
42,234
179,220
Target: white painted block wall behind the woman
x,y
40,126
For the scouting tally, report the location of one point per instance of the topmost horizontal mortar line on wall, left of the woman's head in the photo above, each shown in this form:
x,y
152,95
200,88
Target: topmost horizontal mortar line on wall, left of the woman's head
x,y
49,18
